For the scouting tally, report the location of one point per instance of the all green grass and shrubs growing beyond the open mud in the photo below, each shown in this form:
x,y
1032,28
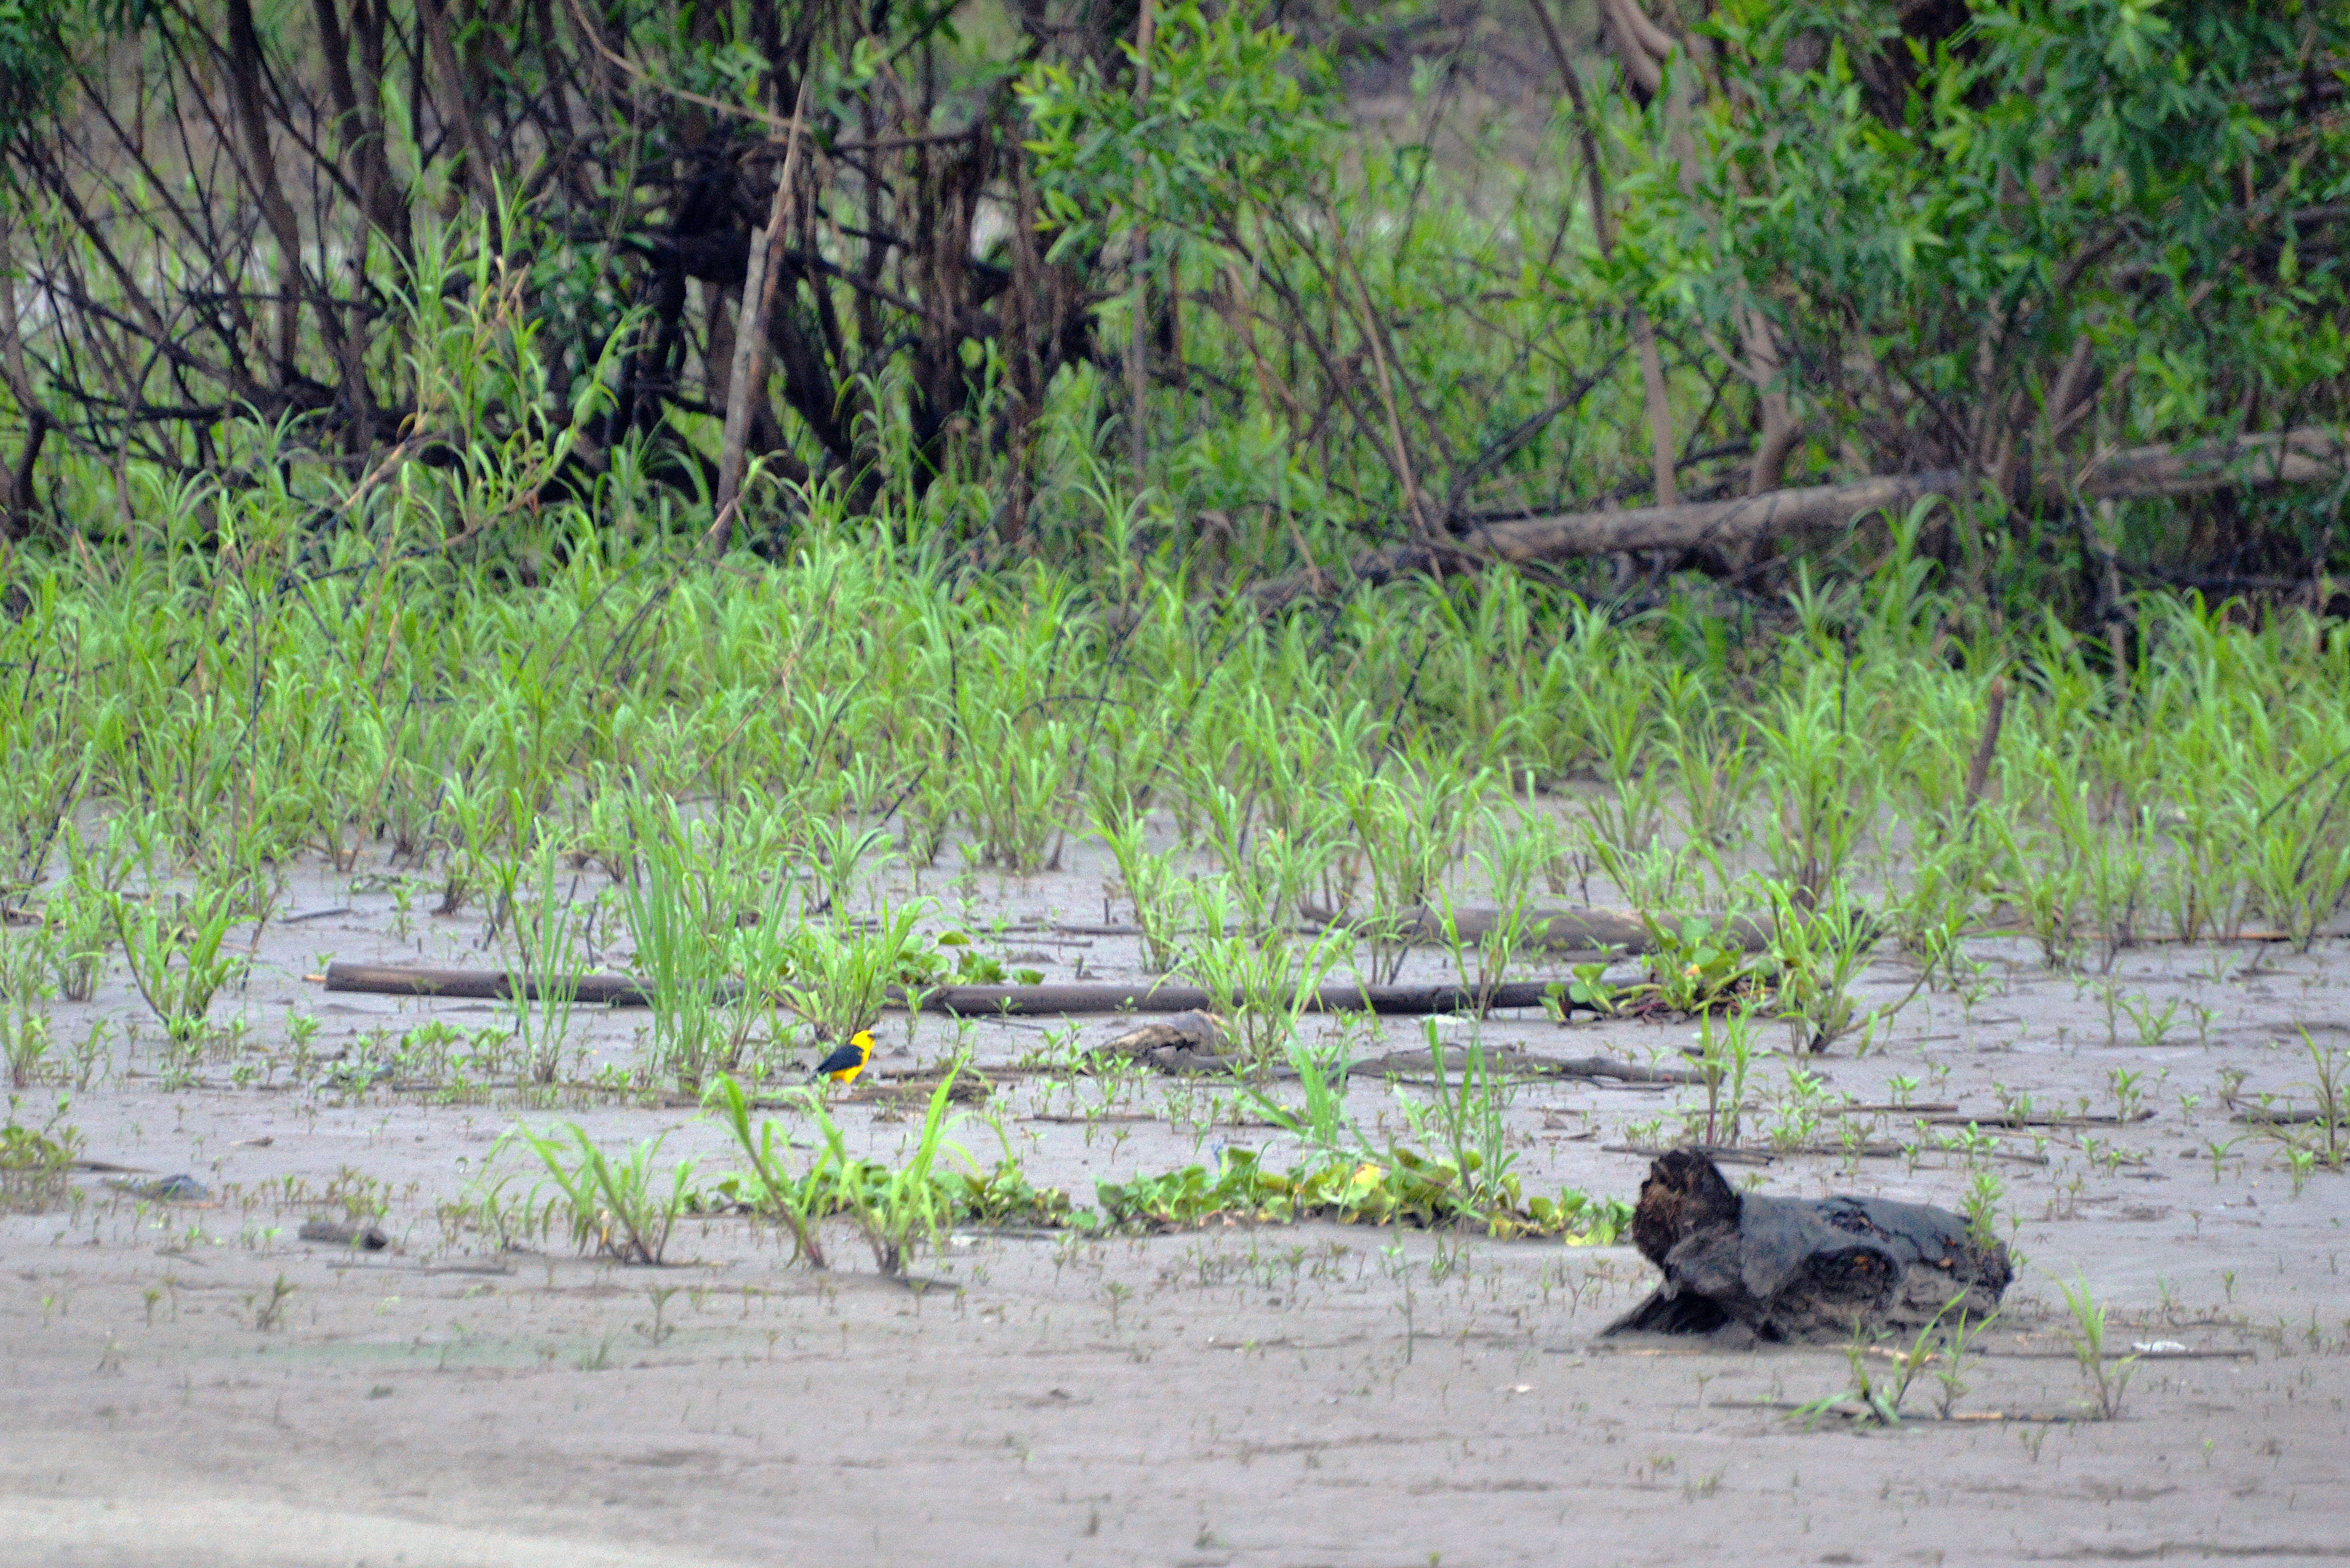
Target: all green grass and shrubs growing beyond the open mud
x,y
727,445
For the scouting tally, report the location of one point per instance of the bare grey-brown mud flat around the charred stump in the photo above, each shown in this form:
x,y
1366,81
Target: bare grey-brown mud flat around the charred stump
x,y
189,1383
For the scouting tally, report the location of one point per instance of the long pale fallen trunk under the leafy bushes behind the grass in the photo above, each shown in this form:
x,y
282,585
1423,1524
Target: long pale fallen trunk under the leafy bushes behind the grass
x,y
2252,462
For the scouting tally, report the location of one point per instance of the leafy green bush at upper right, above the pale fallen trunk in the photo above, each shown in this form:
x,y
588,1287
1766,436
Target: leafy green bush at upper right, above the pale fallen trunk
x,y
2128,180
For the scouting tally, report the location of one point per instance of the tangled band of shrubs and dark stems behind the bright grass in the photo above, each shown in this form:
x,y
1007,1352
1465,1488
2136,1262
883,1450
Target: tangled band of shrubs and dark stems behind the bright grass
x,y
2006,241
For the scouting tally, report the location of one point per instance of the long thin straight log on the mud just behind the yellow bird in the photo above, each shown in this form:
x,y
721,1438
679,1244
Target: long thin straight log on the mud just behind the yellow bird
x,y
958,1000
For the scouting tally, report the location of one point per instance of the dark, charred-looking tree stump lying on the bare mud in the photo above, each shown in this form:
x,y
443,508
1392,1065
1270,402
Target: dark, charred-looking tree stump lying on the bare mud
x,y
1759,1268
